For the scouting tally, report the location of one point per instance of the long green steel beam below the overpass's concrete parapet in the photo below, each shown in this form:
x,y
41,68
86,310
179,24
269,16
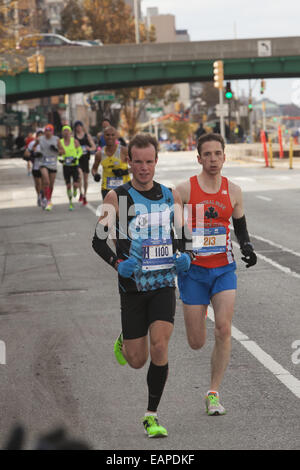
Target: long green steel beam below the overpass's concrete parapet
x,y
72,79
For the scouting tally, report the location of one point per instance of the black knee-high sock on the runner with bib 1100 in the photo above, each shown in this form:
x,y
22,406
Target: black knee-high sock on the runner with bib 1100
x,y
156,380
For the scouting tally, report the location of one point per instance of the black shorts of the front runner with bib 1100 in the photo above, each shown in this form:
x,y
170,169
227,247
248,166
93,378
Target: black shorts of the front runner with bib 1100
x,y
140,309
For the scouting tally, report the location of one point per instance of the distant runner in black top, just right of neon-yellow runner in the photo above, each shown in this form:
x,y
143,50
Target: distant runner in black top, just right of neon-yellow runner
x,y
87,144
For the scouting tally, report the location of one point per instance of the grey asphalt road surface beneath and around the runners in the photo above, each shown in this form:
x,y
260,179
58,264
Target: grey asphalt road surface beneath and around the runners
x,y
59,317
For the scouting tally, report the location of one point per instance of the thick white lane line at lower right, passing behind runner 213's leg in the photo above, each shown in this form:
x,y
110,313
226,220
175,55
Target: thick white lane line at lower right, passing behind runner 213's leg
x,y
291,382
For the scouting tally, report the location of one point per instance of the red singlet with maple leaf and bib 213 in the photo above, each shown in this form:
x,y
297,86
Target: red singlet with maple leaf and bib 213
x,y
211,236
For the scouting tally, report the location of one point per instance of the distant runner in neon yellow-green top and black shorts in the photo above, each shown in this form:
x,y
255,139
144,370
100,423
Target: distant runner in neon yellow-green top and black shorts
x,y
72,152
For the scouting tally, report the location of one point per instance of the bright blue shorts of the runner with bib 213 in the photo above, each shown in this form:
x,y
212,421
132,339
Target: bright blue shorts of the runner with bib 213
x,y
198,284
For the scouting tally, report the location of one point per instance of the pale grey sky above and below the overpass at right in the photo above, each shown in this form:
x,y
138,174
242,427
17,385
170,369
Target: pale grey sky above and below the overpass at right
x,y
221,19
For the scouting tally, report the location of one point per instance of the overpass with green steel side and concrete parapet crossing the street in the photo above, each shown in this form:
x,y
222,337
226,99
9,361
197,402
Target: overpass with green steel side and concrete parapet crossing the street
x,y
76,69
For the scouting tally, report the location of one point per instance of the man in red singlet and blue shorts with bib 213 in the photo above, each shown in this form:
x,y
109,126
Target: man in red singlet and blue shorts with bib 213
x,y
211,276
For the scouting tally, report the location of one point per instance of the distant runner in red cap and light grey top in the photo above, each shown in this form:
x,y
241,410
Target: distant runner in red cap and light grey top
x,y
49,147
